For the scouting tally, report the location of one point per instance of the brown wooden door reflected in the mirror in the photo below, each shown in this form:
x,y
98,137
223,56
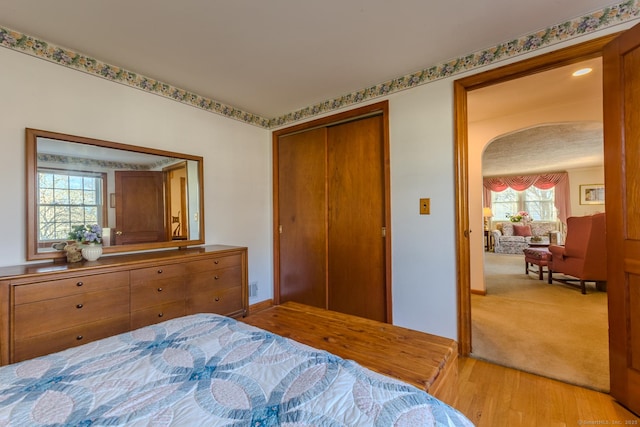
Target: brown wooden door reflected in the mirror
x,y
139,207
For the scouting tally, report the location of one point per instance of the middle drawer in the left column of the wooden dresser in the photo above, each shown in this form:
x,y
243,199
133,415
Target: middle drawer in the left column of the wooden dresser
x,y
49,316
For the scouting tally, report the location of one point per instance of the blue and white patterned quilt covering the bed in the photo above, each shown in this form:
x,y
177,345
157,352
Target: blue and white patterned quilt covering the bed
x,y
208,370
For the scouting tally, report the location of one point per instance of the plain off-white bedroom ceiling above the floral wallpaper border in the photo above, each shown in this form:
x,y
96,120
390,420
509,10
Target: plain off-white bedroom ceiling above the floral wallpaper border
x,y
272,57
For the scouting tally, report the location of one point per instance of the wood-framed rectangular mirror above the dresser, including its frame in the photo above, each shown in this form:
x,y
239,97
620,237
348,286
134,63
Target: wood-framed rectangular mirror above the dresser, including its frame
x,y
143,198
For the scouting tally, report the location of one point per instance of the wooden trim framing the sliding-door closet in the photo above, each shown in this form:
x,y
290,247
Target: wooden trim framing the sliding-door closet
x,y
381,108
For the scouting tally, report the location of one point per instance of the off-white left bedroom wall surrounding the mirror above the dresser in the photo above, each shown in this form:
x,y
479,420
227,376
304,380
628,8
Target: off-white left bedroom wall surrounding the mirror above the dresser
x,y
237,156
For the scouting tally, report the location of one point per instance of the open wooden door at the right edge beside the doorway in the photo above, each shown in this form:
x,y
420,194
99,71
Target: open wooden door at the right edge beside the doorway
x,y
621,62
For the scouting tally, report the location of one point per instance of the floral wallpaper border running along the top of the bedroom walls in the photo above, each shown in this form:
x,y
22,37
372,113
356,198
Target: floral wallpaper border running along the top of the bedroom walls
x,y
607,17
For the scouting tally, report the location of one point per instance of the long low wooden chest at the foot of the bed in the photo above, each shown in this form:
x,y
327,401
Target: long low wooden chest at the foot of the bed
x,y
427,361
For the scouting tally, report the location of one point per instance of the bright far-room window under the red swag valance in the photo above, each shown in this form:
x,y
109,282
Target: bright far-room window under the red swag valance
x,y
539,203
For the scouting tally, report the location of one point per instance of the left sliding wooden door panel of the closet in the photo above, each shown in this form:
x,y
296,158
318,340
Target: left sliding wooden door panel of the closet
x,y
302,213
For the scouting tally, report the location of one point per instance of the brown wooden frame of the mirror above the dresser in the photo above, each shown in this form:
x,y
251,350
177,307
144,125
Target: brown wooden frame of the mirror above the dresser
x,y
33,252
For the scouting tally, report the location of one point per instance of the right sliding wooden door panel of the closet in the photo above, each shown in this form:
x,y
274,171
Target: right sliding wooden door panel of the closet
x,y
356,218
